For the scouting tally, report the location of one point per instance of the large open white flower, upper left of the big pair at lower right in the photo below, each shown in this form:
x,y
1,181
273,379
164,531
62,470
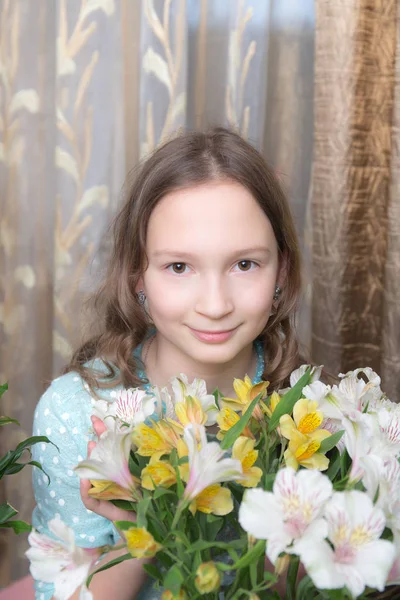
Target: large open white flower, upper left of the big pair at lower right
x,y
290,513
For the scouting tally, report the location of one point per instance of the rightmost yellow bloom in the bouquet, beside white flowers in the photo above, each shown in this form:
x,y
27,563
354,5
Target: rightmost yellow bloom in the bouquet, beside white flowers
x,y
304,436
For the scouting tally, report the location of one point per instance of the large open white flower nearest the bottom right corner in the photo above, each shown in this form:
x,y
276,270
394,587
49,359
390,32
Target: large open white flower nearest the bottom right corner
x,y
356,557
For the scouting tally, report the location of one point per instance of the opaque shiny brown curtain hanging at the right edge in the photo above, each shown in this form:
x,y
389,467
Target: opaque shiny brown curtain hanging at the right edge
x,y
355,207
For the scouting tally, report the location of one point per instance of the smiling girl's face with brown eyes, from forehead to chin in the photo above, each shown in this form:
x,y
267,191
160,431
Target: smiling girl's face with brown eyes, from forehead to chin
x,y
213,267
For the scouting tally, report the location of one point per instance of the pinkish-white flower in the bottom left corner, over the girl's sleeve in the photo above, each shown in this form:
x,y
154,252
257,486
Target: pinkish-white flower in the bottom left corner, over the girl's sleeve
x,y
60,561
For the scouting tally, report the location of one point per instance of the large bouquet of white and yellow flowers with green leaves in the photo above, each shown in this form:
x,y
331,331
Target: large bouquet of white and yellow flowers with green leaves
x,y
234,496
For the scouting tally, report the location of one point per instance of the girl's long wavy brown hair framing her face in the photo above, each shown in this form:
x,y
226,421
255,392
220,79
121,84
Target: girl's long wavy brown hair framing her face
x,y
190,159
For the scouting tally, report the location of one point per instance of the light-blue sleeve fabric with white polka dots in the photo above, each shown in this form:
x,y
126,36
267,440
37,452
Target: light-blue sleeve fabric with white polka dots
x,y
63,414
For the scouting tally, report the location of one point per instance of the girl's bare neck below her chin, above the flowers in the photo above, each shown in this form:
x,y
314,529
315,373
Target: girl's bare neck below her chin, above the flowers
x,y
164,361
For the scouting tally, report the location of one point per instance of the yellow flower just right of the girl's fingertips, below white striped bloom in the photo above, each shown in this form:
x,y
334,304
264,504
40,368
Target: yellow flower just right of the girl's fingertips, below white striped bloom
x,y
157,440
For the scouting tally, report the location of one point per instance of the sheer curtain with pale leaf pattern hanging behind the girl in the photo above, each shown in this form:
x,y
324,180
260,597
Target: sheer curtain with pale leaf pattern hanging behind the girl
x,y
88,88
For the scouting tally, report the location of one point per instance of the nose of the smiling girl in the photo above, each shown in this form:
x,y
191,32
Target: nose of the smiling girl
x,y
214,299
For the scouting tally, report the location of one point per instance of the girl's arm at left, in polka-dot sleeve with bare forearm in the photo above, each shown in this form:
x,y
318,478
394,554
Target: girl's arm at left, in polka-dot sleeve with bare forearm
x,y
63,414
